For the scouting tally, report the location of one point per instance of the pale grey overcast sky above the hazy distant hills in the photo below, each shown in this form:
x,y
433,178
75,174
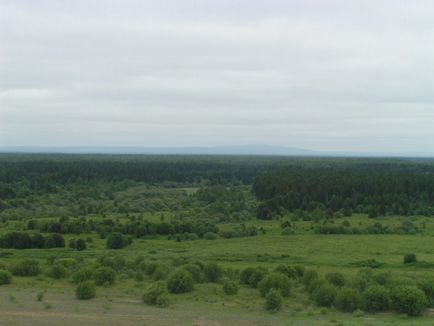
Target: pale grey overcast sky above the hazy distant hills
x,y
323,75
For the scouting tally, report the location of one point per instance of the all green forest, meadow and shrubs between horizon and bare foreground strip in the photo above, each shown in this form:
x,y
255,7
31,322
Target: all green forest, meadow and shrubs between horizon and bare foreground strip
x,y
321,239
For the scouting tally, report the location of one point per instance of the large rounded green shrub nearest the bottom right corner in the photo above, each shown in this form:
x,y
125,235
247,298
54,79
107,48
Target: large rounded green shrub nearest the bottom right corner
x,y
409,300
